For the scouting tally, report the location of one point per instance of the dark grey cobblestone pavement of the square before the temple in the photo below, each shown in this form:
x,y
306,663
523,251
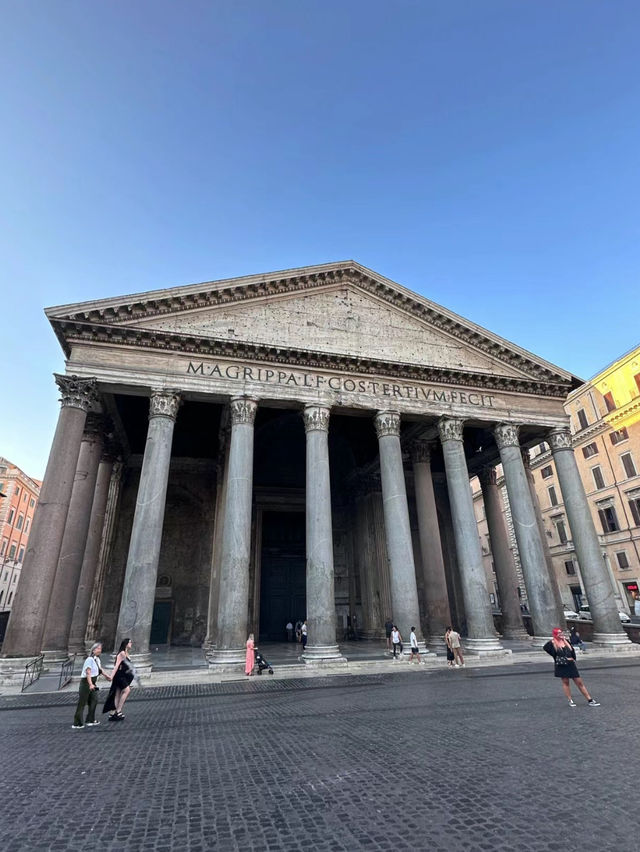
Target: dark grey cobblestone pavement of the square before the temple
x,y
449,760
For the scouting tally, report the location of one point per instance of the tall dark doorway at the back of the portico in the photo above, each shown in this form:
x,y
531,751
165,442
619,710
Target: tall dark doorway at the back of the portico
x,y
283,574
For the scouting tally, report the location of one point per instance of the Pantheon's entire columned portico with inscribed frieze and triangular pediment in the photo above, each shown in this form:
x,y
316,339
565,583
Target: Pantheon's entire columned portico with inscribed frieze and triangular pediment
x,y
234,455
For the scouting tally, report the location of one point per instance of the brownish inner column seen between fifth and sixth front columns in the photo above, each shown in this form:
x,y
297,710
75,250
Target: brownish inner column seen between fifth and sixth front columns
x,y
434,578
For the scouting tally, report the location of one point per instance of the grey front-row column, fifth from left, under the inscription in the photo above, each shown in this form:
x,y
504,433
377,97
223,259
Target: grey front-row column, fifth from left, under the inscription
x,y
404,589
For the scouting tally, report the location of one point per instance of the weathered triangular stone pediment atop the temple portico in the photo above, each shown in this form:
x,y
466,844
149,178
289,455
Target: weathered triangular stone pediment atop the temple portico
x,y
342,310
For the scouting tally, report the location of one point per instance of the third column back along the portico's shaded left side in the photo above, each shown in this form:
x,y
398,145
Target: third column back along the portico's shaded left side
x,y
91,554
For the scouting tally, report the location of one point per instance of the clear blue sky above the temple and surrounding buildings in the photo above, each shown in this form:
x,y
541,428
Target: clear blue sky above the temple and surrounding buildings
x,y
483,153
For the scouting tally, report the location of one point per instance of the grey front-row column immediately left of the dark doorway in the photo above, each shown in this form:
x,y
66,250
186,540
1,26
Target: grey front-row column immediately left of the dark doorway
x,y
233,601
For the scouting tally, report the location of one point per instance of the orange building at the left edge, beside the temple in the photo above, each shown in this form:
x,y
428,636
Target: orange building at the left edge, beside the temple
x,y
18,500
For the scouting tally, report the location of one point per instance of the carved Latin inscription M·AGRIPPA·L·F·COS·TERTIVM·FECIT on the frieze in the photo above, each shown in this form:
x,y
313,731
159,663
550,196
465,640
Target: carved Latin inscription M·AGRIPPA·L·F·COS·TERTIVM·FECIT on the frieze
x,y
344,384
